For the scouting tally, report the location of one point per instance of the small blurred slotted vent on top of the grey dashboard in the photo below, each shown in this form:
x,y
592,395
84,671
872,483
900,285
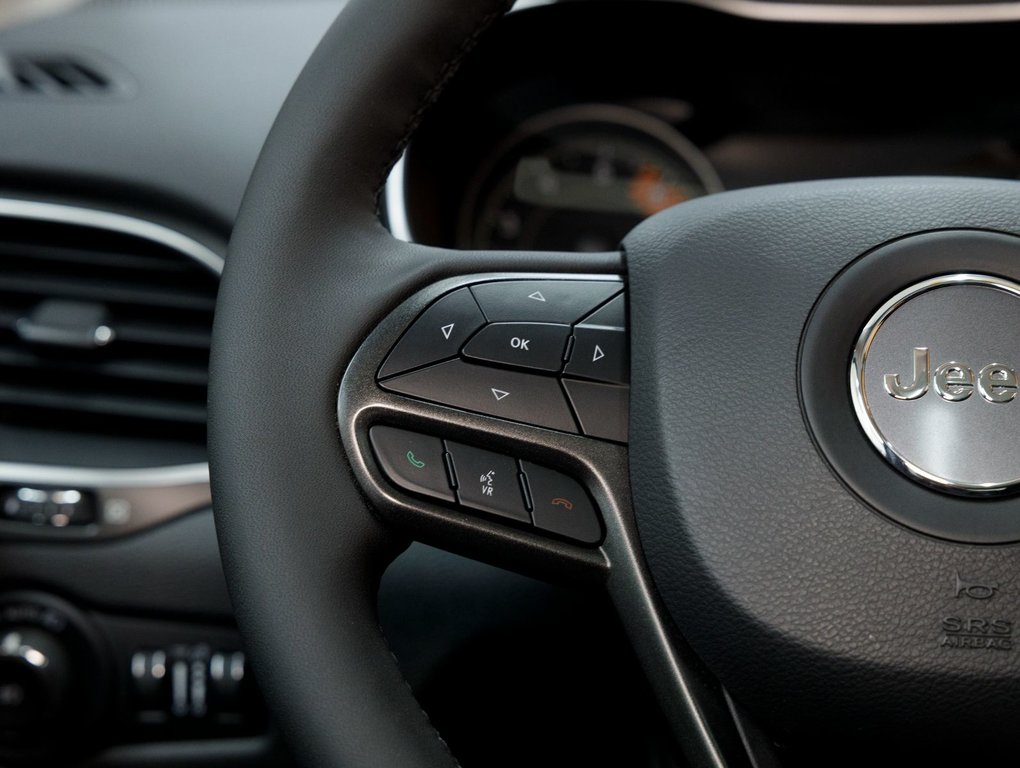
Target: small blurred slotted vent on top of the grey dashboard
x,y
53,76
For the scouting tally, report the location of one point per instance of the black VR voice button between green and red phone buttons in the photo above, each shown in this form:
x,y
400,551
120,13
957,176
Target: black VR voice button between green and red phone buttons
x,y
488,482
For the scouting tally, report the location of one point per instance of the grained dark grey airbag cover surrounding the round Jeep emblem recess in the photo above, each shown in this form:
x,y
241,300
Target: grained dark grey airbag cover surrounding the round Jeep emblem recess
x,y
817,612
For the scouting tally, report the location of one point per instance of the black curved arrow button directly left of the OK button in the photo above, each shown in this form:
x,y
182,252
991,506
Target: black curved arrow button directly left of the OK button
x,y
437,335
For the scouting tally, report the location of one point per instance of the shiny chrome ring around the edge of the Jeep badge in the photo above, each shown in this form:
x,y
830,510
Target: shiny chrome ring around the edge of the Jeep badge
x,y
860,399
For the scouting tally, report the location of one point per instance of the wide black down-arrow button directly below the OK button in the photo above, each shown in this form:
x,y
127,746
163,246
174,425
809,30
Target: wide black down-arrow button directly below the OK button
x,y
507,394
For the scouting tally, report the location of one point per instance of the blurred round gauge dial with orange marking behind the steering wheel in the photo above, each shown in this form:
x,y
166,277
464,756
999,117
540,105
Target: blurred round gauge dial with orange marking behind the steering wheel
x,y
580,179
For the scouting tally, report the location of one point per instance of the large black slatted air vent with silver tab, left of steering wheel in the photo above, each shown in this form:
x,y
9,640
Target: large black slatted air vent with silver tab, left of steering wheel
x,y
103,331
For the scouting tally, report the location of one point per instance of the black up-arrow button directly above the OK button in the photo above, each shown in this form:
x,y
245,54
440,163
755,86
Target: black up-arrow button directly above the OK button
x,y
542,301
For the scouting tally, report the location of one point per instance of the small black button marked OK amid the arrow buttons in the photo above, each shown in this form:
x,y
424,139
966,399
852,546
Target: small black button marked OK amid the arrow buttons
x,y
539,346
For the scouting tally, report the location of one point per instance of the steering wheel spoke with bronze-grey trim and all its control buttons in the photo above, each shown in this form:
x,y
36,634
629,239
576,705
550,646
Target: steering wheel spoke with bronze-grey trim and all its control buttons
x,y
446,457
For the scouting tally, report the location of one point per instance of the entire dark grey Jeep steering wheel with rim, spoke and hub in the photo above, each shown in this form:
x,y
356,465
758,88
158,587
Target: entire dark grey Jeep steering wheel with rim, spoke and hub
x,y
813,506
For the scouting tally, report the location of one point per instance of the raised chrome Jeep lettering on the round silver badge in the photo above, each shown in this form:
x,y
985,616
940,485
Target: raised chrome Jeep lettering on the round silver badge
x,y
953,382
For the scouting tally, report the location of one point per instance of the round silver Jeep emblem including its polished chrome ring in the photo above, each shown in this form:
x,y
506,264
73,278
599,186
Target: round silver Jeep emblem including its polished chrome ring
x,y
934,378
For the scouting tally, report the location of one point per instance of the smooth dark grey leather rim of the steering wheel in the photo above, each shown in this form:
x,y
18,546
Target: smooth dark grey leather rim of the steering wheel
x,y
311,271
